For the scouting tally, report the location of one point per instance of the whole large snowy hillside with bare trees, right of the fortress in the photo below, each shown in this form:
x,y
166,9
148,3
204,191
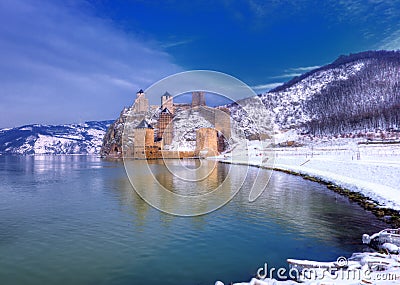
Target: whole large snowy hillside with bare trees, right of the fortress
x,y
358,92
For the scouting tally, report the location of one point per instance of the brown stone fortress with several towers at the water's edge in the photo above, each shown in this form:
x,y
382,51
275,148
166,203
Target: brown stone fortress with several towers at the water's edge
x,y
148,142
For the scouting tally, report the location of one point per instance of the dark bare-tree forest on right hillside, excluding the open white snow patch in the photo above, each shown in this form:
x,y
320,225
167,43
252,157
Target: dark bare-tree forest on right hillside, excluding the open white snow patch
x,y
366,101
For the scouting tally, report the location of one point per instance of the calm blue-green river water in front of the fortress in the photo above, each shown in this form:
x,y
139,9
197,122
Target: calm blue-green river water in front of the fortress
x,y
77,220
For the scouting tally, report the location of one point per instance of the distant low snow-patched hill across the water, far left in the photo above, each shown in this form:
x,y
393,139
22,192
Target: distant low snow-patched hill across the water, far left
x,y
83,138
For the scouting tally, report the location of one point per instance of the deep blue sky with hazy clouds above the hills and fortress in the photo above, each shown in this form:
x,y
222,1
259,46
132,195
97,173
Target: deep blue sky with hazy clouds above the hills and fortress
x,y
78,60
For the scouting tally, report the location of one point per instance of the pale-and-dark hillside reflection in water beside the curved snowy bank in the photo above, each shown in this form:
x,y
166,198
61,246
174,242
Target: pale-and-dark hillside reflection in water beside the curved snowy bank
x,y
308,209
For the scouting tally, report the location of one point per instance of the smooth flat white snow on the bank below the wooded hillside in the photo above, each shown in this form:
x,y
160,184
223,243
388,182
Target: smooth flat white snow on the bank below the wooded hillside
x,y
372,170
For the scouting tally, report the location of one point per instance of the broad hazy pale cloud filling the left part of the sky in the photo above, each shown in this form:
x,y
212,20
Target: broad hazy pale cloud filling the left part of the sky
x,y
60,65
